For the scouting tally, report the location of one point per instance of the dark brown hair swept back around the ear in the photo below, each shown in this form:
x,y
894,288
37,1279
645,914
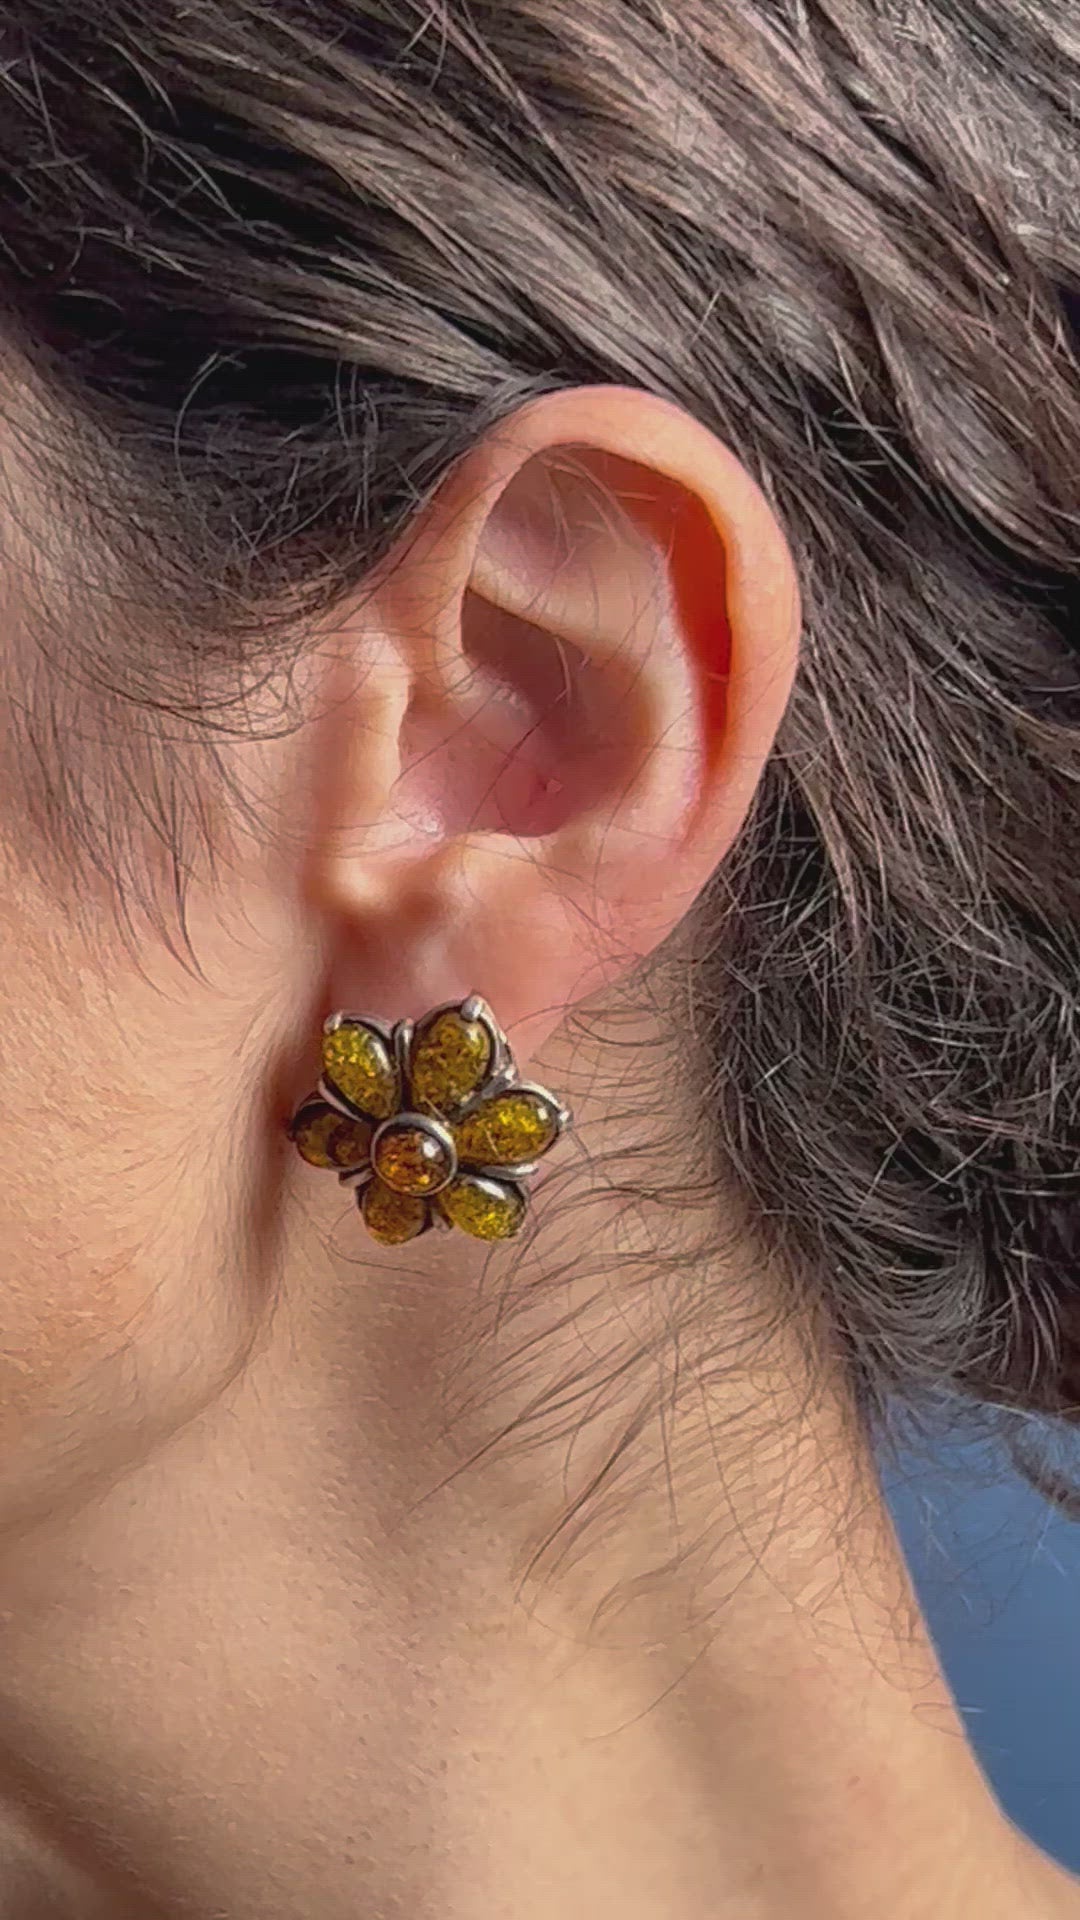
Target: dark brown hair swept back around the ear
x,y
268,272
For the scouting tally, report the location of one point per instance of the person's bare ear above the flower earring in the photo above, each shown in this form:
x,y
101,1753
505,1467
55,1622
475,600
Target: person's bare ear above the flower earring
x,y
549,719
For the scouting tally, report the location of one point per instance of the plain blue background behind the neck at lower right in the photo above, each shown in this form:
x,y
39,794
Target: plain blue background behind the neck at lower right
x,y
998,1575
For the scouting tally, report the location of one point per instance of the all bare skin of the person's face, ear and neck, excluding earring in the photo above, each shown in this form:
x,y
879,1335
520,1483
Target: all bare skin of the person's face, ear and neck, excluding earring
x,y
274,1635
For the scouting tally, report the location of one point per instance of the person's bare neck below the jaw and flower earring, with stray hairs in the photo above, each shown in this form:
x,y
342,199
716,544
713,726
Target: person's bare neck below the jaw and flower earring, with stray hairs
x,y
285,1669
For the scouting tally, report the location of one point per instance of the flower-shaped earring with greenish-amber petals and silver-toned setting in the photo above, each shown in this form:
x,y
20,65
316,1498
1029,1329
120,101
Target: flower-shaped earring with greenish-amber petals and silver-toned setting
x,y
430,1122
